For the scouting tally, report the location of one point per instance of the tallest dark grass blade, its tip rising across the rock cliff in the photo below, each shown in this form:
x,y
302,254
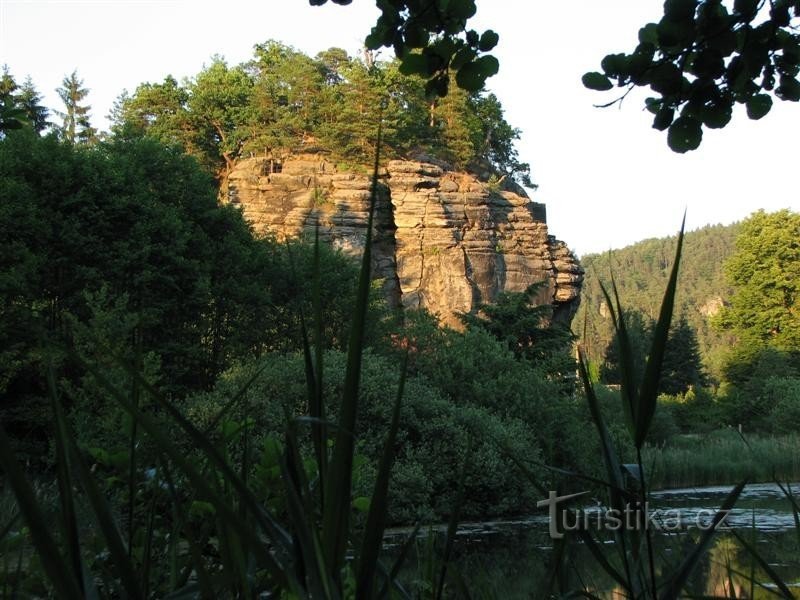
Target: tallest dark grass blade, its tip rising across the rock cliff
x,y
336,511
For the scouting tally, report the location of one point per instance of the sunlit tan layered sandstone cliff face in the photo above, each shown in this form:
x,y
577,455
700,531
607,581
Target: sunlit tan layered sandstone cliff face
x,y
442,240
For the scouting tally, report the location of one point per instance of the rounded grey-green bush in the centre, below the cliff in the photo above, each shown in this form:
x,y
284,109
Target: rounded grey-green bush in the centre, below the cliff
x,y
431,443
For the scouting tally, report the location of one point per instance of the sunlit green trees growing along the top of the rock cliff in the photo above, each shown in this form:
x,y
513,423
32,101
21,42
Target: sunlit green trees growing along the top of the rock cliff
x,y
283,101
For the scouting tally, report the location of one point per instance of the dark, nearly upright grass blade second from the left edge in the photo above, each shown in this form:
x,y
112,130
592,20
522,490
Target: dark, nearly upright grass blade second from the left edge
x,y
69,521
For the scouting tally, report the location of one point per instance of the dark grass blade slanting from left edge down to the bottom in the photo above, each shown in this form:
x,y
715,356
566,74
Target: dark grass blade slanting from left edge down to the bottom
x,y
57,569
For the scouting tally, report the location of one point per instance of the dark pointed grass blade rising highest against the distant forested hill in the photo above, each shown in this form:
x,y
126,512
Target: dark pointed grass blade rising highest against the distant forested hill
x,y
648,393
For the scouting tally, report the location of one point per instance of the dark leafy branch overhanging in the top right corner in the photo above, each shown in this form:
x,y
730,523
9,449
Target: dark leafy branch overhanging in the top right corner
x,y
705,56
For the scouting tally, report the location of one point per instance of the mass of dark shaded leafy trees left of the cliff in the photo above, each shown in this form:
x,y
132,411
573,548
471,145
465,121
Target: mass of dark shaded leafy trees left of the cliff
x,y
124,244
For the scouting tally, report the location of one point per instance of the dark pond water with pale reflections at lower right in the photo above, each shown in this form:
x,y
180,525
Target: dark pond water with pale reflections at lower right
x,y
507,559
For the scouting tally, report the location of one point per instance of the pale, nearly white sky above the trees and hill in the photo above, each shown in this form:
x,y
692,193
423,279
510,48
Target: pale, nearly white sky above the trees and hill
x,y
607,178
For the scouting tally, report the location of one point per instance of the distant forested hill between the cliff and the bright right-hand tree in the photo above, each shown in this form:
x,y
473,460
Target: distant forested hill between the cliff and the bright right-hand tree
x,y
641,272
